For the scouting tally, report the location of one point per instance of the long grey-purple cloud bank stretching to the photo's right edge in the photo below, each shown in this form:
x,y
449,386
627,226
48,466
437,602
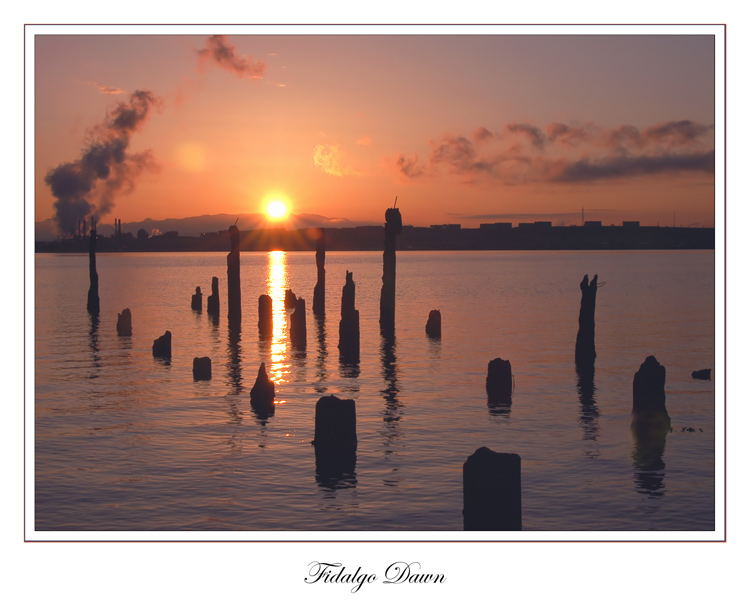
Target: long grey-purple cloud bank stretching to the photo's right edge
x,y
525,153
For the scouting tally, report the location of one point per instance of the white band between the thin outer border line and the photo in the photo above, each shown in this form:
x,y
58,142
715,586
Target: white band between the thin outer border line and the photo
x,y
397,536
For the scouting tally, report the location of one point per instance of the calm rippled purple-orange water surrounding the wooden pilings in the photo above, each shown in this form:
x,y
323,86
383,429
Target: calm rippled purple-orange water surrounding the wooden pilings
x,y
128,442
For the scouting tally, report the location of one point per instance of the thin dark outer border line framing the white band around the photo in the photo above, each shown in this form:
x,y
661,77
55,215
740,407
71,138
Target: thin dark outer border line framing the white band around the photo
x,y
723,25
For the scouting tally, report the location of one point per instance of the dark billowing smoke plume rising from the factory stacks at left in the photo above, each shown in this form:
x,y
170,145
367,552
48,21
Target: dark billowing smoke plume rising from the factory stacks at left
x,y
88,186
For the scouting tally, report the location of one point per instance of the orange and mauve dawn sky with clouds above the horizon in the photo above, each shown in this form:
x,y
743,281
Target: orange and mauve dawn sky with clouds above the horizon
x,y
465,129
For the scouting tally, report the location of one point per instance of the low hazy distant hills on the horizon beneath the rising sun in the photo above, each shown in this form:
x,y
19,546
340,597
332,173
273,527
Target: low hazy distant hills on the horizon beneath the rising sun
x,y
195,225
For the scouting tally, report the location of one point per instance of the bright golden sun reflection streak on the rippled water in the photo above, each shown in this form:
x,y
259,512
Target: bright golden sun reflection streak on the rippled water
x,y
277,283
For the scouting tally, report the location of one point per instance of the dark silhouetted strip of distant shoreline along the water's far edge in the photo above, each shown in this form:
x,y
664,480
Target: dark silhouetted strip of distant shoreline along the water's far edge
x,y
501,236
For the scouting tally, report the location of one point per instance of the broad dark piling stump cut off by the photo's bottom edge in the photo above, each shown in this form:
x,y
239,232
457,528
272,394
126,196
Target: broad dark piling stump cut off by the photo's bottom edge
x,y
492,491
